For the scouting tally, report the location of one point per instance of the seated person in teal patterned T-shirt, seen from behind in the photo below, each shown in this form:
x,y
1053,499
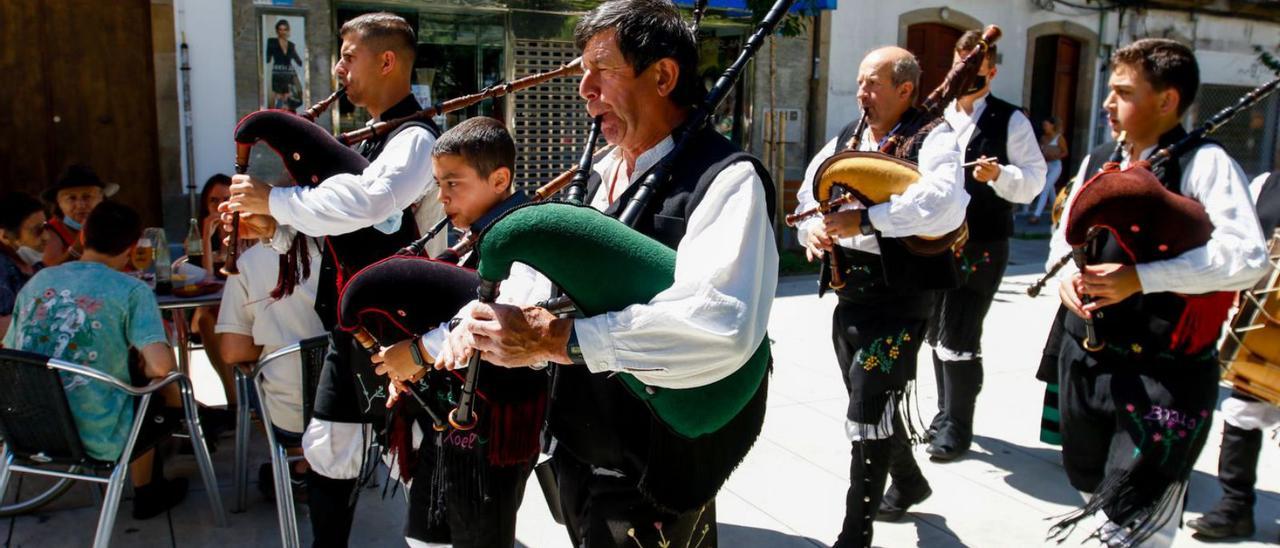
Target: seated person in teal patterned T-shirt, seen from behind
x,y
89,313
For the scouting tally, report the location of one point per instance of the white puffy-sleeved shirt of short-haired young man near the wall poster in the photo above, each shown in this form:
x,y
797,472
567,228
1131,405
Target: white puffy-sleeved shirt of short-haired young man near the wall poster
x,y
400,177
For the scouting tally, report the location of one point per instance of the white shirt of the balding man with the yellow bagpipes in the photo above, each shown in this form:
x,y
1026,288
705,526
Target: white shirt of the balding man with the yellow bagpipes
x,y
934,207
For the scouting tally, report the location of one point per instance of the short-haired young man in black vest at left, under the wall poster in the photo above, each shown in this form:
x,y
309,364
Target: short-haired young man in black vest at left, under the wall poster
x,y
371,212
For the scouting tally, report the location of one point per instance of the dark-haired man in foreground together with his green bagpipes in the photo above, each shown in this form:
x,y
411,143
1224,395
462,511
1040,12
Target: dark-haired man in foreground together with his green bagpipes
x,y
633,467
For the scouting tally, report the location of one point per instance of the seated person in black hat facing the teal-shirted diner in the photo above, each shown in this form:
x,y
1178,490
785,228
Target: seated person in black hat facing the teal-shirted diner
x,y
75,195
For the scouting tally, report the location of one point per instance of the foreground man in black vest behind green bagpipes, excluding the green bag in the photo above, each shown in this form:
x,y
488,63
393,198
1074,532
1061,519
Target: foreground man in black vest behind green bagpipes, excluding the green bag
x,y
642,76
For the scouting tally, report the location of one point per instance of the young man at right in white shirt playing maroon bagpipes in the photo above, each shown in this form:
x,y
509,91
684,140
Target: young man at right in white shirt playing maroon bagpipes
x,y
1137,368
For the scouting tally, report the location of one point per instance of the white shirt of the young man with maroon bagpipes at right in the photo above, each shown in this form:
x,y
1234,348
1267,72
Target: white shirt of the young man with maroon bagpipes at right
x,y
1236,255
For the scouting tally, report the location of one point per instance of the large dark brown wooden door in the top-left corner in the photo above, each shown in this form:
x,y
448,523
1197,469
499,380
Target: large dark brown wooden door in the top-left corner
x,y
83,90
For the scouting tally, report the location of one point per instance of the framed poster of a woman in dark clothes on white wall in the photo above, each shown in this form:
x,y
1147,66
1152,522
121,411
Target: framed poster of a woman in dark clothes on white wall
x,y
285,62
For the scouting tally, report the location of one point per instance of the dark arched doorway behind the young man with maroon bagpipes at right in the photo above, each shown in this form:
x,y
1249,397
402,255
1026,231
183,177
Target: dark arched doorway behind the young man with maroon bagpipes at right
x,y
1055,79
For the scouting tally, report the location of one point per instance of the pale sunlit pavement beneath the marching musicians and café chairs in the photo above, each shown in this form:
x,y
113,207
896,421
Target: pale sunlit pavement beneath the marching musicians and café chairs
x,y
790,490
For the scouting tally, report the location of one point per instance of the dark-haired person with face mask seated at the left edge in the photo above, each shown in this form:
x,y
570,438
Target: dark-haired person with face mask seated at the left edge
x,y
22,236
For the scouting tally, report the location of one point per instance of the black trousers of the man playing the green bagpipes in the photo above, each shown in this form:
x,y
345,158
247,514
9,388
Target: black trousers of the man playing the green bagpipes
x,y
610,512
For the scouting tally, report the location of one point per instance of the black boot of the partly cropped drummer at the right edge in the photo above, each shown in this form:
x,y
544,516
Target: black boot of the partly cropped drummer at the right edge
x,y
1237,473
